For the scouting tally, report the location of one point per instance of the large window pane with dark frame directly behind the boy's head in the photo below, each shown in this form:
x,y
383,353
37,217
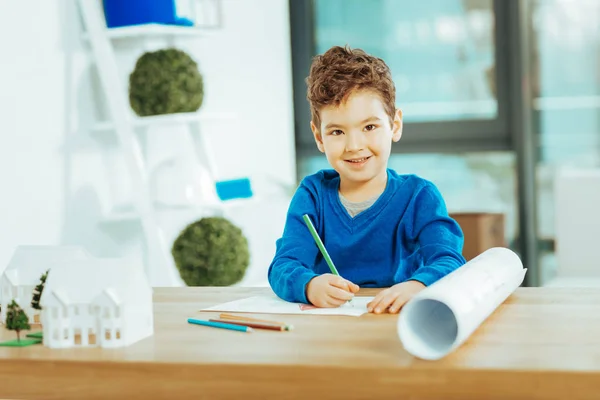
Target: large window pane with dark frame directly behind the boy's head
x,y
447,59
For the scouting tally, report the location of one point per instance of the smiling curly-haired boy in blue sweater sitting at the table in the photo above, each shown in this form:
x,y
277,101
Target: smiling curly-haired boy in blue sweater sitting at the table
x,y
380,228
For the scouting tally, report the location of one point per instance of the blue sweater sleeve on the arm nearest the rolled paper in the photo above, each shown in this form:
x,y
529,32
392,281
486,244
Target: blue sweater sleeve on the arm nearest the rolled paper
x,y
439,237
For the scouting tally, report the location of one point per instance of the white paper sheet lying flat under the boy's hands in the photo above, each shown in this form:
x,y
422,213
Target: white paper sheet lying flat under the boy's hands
x,y
271,304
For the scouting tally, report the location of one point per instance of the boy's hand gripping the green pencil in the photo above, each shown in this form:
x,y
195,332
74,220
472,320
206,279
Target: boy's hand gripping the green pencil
x,y
329,291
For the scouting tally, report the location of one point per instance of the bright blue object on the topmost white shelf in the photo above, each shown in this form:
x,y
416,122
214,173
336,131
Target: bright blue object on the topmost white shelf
x,y
136,12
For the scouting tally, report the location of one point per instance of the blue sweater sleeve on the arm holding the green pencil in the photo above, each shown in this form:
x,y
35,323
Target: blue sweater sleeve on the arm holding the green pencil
x,y
295,253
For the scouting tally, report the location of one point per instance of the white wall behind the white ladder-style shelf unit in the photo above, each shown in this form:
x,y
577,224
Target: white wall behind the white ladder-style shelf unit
x,y
58,178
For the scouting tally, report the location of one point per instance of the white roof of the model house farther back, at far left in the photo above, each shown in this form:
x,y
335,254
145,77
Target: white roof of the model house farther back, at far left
x,y
28,263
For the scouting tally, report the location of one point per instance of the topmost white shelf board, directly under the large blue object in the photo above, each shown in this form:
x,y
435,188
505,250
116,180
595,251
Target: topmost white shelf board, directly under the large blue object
x,y
154,30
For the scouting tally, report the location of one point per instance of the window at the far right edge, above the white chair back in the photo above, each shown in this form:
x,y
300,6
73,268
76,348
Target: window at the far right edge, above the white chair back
x,y
565,64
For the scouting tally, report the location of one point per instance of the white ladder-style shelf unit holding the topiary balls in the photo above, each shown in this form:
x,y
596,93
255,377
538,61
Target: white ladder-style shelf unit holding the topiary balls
x,y
160,269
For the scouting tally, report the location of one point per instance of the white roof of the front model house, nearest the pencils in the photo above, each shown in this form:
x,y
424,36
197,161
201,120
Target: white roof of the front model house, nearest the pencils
x,y
82,281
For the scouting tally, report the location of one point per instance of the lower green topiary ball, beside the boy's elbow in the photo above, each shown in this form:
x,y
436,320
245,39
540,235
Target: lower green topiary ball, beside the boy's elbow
x,y
211,252
